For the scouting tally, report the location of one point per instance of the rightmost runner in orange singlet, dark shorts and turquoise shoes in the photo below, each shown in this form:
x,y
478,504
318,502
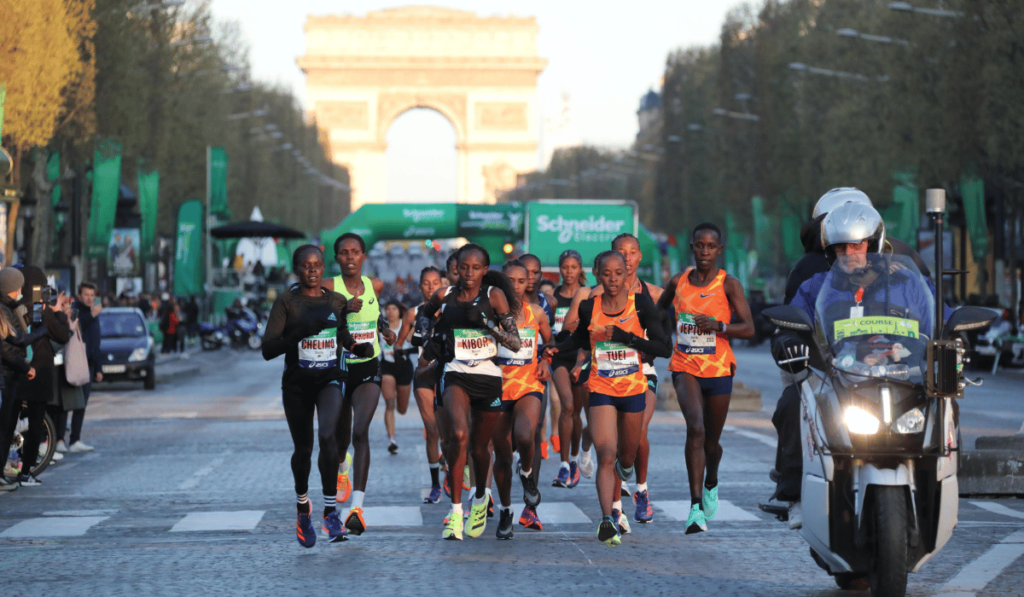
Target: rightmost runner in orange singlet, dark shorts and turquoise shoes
x,y
706,301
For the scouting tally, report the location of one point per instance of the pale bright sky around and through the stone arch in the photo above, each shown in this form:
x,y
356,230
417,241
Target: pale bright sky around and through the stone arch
x,y
603,55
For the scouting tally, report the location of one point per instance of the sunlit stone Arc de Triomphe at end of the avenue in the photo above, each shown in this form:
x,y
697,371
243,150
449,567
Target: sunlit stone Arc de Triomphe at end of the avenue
x,y
481,73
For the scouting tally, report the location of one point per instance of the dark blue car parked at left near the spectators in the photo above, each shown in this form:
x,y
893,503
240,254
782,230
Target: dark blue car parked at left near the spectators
x,y
126,348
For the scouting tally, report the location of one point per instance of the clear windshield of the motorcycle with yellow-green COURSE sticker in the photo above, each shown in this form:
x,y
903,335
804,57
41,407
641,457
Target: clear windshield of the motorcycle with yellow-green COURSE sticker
x,y
876,313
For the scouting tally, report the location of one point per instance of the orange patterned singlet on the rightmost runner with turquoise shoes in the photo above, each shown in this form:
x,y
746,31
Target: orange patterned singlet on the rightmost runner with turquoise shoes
x,y
702,355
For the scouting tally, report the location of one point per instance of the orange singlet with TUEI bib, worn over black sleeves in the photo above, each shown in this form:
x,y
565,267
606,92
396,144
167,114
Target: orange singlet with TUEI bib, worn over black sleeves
x,y
616,368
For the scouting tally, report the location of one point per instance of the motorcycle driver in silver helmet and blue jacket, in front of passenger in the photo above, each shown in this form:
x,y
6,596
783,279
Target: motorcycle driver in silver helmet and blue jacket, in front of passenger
x,y
854,232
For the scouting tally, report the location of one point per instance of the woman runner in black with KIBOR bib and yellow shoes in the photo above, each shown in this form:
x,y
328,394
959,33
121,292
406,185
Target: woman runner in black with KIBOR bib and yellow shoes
x,y
477,316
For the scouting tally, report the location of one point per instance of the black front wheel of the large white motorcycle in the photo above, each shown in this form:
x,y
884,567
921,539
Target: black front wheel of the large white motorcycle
x,y
888,578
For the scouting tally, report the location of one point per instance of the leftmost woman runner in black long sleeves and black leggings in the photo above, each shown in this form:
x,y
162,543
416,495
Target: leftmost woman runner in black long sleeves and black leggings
x,y
308,326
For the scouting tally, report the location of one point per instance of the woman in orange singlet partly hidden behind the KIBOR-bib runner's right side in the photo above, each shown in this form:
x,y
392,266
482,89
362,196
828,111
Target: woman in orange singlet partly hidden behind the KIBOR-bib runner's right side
x,y
523,391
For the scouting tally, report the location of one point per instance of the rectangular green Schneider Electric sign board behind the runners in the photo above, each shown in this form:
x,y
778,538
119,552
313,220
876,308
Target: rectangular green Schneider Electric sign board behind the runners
x,y
587,227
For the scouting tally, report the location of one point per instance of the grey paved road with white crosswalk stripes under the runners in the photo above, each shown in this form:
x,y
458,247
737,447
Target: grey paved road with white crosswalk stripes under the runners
x,y
190,492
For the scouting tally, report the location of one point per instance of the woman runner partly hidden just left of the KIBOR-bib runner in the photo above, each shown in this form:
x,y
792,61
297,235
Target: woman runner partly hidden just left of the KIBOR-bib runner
x,y
419,329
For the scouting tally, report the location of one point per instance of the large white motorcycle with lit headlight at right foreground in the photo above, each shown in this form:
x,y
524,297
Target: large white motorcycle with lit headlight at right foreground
x,y
879,427
